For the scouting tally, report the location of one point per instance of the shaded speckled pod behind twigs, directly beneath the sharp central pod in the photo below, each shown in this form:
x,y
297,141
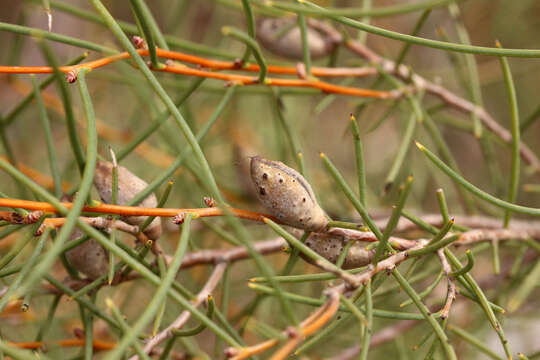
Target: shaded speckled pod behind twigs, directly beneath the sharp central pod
x,y
330,247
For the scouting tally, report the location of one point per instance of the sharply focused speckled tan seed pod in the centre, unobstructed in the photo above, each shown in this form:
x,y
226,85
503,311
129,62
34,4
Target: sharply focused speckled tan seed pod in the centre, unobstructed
x,y
286,195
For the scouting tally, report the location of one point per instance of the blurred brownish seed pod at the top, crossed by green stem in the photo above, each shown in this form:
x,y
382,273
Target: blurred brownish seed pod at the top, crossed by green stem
x,y
282,36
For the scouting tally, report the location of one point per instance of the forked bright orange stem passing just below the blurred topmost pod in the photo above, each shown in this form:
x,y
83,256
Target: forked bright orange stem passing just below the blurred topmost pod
x,y
225,65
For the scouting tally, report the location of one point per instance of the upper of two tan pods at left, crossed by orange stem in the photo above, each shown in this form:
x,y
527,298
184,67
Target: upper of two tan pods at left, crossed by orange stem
x,y
129,185
